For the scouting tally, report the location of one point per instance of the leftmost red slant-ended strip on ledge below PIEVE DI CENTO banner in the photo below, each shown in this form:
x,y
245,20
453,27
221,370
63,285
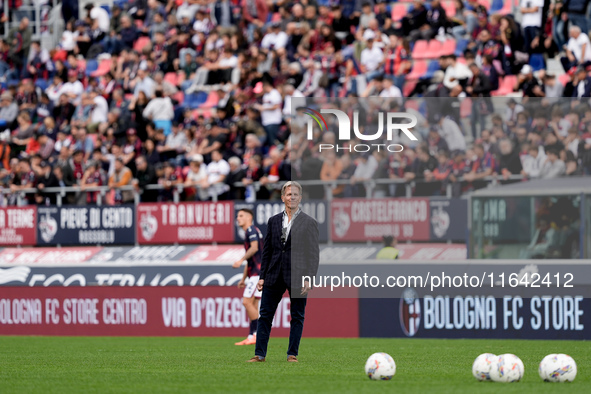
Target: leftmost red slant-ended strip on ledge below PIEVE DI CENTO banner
x,y
47,255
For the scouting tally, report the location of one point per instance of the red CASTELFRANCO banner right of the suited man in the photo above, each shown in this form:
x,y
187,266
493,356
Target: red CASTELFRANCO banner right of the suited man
x,y
359,220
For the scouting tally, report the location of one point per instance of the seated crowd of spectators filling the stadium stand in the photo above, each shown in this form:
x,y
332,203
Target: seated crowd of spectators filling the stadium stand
x,y
198,92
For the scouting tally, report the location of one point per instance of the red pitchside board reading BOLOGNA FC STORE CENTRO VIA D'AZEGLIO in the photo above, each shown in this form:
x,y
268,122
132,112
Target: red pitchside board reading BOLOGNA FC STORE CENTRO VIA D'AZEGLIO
x,y
158,311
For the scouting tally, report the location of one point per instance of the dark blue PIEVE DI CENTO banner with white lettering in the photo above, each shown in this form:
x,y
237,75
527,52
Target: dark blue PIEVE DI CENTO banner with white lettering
x,y
82,225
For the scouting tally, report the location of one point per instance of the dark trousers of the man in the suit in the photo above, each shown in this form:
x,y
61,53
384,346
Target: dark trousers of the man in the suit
x,y
272,295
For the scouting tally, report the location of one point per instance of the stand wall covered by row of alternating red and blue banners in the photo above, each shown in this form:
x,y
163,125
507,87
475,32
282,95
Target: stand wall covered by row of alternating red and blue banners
x,y
435,220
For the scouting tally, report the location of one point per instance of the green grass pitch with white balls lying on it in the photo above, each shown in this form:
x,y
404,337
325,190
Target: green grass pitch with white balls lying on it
x,y
205,365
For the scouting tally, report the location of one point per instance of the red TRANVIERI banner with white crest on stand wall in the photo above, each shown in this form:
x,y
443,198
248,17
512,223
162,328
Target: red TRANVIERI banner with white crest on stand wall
x,y
189,223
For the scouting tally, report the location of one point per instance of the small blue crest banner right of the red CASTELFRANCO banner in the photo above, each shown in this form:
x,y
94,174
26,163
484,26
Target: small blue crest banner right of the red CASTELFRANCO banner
x,y
448,219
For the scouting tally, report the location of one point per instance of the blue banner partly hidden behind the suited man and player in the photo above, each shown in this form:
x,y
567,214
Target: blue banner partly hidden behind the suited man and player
x,y
263,210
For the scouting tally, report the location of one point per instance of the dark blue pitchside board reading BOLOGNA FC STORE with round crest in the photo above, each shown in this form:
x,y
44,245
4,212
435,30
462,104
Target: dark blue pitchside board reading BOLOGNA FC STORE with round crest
x,y
541,317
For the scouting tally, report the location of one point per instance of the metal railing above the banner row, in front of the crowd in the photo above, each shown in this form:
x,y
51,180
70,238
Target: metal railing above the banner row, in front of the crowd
x,y
61,192
